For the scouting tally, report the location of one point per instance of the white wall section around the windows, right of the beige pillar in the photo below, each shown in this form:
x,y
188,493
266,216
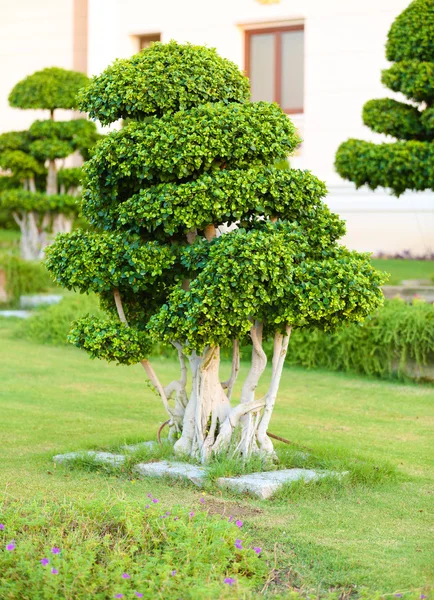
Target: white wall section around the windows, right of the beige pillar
x,y
344,56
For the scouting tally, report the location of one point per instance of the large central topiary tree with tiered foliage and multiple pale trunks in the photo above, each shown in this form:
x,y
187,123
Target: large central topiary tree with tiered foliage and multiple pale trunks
x,y
197,155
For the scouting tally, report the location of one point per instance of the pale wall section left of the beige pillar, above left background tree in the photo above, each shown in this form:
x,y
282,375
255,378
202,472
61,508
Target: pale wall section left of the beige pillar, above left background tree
x,y
34,34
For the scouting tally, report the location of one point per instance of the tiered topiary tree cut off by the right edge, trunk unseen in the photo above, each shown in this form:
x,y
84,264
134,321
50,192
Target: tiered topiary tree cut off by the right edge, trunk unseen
x,y
407,164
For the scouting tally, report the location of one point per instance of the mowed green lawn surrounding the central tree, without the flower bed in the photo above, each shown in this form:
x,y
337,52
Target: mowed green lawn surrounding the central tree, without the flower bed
x,y
375,537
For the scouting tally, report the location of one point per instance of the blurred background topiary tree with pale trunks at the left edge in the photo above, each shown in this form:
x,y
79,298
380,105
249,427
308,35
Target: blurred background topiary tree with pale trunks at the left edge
x,y
42,199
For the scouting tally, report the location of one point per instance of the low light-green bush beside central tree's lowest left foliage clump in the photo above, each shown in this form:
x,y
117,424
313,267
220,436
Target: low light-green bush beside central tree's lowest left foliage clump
x,y
51,325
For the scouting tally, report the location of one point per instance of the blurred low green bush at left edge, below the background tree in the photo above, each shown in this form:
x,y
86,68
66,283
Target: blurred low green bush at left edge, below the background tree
x,y
23,277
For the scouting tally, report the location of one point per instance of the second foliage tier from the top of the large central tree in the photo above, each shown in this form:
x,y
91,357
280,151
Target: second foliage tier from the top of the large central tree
x,y
185,144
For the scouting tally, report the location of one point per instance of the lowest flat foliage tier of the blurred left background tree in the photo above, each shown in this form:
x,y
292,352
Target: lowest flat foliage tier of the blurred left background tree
x,y
22,200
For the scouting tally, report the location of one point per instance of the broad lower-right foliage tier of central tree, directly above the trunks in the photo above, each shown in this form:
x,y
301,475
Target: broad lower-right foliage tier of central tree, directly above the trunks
x,y
274,274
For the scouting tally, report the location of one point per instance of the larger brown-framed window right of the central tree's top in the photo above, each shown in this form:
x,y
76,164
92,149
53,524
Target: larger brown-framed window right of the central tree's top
x,y
275,65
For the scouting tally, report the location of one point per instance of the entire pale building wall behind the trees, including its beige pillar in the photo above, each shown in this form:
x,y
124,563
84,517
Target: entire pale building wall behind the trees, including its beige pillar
x,y
344,55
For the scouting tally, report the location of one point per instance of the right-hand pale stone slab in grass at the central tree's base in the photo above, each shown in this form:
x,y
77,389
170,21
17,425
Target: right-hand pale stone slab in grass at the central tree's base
x,y
264,485
